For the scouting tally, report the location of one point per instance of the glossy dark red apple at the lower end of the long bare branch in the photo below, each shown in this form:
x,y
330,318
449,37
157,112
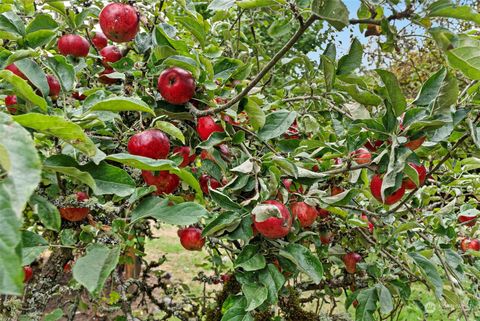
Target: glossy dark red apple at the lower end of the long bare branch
x,y
176,85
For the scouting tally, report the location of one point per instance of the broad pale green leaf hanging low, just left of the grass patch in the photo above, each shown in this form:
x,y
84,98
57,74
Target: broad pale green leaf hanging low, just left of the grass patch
x,y
93,269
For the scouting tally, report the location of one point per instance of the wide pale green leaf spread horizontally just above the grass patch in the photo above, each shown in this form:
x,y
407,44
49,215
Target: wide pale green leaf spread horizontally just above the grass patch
x,y
180,214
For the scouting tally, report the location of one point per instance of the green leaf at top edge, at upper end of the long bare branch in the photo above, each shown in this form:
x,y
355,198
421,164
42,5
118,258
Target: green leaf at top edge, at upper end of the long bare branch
x,y
333,11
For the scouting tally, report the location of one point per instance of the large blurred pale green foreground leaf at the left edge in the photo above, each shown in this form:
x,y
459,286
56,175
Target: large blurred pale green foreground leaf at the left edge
x,y
19,159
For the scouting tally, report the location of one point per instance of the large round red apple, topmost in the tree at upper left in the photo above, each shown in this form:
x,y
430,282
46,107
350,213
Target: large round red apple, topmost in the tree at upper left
x,y
119,22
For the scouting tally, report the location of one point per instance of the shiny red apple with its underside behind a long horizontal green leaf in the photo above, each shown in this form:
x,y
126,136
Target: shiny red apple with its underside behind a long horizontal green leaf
x,y
151,143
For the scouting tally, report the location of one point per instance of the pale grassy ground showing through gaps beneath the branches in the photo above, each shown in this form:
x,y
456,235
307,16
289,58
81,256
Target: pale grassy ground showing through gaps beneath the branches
x,y
183,265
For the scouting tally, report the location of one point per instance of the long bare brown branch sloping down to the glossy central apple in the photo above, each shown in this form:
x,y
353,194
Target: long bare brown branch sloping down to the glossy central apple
x,y
279,55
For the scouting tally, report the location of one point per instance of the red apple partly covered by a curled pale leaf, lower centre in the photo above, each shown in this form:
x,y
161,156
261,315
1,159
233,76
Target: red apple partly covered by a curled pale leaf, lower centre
x,y
275,227
